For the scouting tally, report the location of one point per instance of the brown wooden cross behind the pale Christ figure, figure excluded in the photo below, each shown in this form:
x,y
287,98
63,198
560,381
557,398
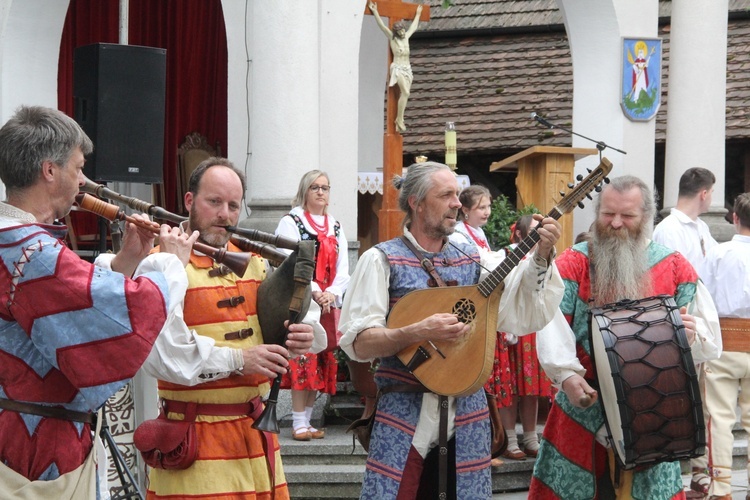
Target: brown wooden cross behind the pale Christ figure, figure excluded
x,y
390,217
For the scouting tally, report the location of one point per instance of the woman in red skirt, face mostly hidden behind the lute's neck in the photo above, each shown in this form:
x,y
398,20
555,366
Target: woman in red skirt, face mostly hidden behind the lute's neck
x,y
529,381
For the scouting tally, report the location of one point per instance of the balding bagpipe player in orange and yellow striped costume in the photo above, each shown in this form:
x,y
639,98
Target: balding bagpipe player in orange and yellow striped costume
x,y
217,363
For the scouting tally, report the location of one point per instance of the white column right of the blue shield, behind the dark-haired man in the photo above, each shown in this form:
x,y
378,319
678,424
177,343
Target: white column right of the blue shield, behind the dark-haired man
x,y
696,117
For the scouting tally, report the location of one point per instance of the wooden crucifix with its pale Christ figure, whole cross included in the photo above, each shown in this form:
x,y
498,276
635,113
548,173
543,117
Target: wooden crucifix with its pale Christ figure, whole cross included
x,y
390,217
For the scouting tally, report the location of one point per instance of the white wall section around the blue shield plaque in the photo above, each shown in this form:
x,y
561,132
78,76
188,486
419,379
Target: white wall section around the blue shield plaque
x,y
595,30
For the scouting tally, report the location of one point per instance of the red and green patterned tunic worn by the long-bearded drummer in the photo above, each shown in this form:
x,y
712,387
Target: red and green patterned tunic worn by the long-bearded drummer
x,y
570,459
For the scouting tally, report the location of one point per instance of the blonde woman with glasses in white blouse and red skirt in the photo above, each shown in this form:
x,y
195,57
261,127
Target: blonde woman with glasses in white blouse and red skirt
x,y
309,220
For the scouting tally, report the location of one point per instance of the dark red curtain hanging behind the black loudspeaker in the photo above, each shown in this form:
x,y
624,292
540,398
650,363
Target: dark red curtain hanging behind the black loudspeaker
x,y
194,35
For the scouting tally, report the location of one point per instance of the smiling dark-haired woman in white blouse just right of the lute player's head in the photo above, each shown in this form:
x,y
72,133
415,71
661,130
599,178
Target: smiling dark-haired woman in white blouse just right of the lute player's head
x,y
475,208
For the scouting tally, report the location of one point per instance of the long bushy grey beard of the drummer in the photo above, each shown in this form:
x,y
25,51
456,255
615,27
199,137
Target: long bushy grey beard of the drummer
x,y
620,265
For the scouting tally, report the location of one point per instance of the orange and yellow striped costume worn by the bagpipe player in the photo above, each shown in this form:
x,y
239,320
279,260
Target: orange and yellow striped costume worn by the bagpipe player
x,y
231,461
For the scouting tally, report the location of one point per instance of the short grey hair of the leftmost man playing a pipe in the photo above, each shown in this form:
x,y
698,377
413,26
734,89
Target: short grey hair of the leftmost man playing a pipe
x,y
33,135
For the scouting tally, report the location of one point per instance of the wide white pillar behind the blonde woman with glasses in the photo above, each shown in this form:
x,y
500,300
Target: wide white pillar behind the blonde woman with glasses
x,y
293,84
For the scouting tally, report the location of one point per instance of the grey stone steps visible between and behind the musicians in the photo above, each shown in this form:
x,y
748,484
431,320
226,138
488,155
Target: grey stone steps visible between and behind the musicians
x,y
333,467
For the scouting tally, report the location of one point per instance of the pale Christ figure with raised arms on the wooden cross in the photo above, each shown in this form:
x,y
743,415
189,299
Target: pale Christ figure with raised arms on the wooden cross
x,y
400,67
